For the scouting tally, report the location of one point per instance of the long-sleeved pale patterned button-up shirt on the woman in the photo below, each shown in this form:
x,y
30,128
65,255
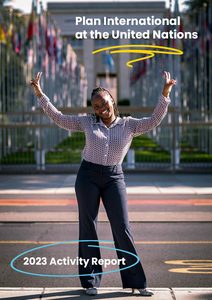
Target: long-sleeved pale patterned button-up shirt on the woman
x,y
106,145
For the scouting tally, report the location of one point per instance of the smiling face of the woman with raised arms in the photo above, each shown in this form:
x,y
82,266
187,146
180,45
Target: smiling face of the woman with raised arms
x,y
103,106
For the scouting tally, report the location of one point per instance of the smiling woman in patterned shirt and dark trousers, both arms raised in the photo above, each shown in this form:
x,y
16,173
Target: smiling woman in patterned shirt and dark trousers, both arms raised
x,y
108,138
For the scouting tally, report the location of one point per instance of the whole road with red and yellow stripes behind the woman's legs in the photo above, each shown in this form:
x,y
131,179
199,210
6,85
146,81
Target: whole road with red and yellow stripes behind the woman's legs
x,y
174,242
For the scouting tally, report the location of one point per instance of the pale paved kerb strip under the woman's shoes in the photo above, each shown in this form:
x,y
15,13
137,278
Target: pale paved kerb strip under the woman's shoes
x,y
103,293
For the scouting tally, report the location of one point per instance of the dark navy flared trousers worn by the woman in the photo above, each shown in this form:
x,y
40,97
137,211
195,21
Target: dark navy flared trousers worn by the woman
x,y
95,182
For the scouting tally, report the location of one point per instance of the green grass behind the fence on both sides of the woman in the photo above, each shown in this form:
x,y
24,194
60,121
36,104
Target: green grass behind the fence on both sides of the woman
x,y
70,149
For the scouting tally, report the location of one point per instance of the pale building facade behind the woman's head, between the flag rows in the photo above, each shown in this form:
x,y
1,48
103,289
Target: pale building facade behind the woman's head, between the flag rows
x,y
113,74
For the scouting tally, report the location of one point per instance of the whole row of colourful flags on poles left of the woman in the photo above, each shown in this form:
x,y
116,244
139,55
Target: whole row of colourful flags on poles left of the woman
x,y
32,43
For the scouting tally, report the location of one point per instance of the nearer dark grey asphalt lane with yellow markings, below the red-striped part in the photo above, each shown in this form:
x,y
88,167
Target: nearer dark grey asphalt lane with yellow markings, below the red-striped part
x,y
157,244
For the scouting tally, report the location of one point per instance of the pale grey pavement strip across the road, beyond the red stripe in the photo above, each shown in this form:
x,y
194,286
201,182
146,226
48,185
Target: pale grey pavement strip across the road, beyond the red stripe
x,y
158,184
